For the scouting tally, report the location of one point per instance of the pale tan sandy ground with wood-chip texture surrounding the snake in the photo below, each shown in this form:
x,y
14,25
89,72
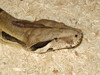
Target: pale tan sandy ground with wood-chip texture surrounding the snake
x,y
83,60
